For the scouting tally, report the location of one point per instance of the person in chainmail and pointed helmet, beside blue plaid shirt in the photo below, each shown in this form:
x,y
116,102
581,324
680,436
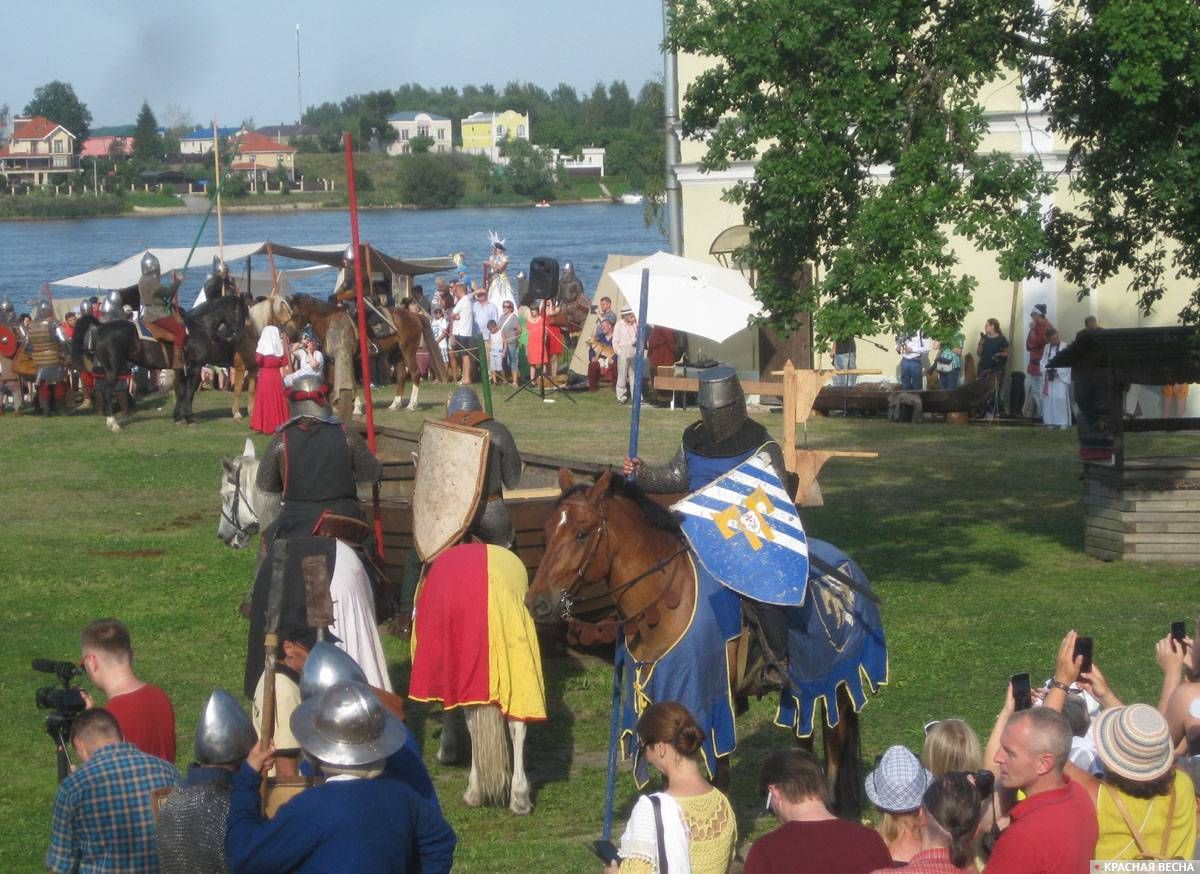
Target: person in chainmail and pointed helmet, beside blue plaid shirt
x,y
193,822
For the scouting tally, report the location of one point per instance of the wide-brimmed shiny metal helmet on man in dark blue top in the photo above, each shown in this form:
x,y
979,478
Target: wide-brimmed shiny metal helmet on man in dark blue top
x,y
346,726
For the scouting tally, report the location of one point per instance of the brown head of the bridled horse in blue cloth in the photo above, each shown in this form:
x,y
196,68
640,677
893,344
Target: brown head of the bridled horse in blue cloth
x,y
574,534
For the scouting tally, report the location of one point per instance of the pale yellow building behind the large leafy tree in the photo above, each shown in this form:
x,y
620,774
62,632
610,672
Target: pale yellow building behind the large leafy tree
x,y
1013,128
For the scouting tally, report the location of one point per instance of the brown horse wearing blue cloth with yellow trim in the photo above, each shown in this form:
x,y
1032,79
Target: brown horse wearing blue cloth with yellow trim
x,y
609,546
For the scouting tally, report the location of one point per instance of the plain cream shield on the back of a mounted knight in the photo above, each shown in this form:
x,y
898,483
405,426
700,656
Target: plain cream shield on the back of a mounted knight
x,y
452,465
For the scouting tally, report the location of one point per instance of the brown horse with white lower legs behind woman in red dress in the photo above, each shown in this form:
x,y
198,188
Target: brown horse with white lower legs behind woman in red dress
x,y
339,338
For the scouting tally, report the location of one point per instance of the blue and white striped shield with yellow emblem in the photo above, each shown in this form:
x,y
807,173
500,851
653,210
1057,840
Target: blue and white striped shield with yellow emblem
x,y
745,530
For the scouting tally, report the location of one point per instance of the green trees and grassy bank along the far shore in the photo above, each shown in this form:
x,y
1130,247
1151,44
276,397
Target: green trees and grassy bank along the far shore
x,y
628,127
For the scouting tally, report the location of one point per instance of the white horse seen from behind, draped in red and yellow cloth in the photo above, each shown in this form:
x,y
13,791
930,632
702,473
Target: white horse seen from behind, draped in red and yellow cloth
x,y
476,651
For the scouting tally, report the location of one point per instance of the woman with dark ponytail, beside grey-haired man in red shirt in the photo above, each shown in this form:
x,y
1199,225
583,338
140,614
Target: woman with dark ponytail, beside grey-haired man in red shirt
x,y
950,821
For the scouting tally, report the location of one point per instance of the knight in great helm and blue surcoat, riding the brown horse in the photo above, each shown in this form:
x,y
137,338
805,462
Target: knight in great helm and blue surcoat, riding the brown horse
x,y
724,438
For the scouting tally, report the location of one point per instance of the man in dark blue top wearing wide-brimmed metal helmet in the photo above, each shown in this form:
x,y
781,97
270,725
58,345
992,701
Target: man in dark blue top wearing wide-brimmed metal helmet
x,y
357,821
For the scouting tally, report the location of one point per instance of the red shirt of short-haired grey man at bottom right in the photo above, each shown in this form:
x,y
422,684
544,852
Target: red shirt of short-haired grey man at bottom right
x,y
1052,833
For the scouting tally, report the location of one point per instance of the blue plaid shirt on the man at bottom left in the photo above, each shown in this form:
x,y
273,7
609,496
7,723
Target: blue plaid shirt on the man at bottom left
x,y
103,817
